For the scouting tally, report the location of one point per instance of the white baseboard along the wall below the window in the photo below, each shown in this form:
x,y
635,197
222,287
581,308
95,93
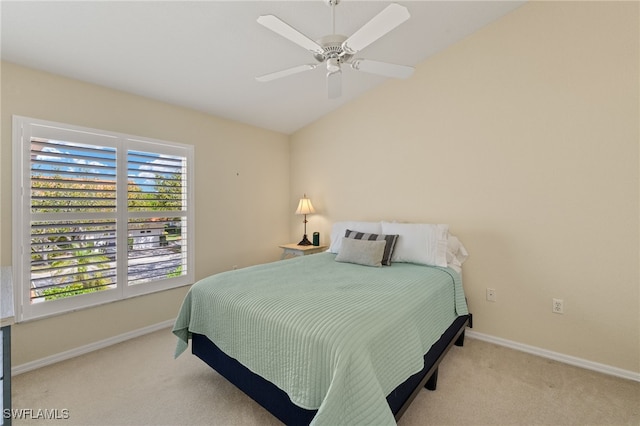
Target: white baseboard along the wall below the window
x,y
32,365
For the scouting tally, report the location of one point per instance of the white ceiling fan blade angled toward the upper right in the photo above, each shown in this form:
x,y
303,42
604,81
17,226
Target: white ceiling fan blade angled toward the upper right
x,y
385,21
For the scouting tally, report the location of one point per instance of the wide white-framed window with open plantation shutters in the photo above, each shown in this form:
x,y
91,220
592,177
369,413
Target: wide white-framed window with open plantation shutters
x,y
98,216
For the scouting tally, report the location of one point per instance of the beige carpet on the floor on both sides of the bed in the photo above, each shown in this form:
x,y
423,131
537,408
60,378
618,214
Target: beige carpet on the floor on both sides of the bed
x,y
139,383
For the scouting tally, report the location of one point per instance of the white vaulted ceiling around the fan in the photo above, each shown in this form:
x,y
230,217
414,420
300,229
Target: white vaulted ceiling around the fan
x,y
205,54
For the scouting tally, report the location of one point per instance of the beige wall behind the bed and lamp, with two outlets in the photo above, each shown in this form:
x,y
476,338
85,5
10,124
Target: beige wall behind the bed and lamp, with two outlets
x,y
524,138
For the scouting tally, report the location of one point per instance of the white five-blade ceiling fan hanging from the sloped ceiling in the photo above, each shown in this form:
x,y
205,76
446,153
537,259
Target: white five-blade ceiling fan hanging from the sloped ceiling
x,y
336,49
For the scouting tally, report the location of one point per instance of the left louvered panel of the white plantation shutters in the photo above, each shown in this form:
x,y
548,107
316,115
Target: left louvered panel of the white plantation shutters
x,y
71,256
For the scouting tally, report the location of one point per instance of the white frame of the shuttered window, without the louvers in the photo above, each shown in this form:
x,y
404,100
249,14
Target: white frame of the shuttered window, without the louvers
x,y
24,129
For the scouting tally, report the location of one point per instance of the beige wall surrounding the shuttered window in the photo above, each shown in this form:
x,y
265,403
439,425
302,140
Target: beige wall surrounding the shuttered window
x,y
242,201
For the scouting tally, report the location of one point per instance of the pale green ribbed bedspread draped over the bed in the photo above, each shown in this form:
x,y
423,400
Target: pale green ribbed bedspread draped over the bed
x,y
336,337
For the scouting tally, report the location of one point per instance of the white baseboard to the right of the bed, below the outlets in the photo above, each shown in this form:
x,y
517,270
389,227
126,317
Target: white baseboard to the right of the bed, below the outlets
x,y
567,359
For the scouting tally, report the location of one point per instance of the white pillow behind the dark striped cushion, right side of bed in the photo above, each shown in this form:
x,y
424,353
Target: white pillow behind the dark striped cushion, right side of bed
x,y
421,243
